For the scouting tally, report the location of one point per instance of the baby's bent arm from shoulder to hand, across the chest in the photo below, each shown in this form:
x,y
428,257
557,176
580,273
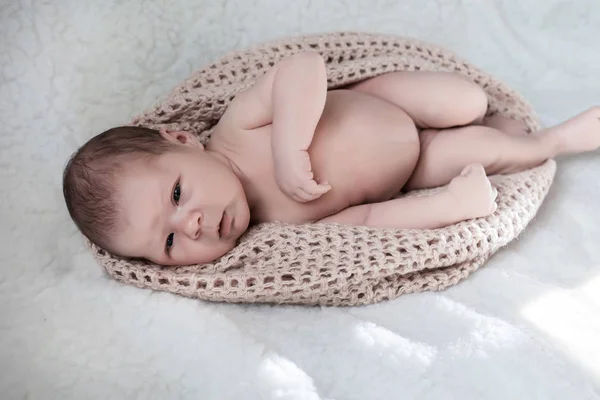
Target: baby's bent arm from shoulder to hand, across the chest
x,y
291,96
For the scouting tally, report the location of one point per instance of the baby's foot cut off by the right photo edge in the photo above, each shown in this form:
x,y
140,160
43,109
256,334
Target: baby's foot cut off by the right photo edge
x,y
578,134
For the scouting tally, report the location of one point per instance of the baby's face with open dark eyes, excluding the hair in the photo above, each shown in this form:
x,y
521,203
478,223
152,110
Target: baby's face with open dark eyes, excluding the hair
x,y
183,207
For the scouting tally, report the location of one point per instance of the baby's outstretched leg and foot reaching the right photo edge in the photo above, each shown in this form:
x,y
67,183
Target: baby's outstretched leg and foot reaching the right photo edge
x,y
445,153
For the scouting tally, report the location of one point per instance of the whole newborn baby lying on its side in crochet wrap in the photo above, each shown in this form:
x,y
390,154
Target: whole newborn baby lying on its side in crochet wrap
x,y
289,150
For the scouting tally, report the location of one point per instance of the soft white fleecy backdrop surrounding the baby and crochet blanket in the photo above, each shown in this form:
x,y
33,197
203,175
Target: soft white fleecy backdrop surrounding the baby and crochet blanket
x,y
527,326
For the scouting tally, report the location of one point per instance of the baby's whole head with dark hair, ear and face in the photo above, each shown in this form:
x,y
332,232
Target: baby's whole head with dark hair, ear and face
x,y
155,195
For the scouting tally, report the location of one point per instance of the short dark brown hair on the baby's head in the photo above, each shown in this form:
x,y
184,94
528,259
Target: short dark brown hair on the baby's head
x,y
89,178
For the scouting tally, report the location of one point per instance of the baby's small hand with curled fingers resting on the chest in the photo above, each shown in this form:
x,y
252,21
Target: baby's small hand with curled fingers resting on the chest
x,y
293,172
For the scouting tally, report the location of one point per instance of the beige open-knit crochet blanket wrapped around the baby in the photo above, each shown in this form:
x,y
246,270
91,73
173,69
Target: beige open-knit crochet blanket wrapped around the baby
x,y
329,264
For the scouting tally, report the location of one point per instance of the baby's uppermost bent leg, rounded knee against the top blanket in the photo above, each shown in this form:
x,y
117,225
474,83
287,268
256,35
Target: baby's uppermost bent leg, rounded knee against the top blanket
x,y
432,99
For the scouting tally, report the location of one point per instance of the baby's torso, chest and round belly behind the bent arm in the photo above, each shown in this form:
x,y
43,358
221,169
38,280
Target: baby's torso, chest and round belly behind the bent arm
x,y
364,147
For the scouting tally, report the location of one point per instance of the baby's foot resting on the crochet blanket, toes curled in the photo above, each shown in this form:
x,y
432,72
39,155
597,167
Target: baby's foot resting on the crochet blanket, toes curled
x,y
473,193
